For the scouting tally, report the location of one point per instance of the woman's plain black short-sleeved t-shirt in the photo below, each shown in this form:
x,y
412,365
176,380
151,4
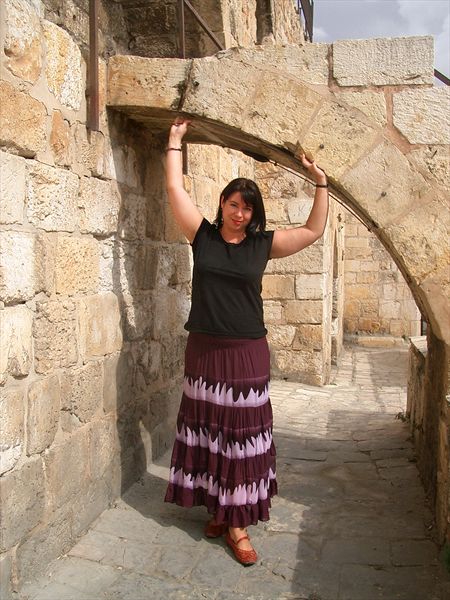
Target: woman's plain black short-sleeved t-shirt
x,y
226,283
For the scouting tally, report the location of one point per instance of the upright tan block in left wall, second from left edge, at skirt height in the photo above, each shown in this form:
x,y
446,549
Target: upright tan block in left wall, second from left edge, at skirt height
x,y
44,400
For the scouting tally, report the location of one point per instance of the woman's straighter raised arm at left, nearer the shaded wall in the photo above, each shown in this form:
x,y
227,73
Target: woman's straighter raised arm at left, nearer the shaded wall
x,y
184,210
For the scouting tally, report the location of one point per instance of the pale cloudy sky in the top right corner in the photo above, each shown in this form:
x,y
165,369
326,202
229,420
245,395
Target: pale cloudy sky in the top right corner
x,y
361,19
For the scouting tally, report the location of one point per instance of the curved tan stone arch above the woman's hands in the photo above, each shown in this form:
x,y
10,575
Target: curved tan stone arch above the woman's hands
x,y
249,101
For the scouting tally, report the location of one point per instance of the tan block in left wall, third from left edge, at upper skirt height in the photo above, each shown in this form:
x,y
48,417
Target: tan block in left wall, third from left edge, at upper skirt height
x,y
81,394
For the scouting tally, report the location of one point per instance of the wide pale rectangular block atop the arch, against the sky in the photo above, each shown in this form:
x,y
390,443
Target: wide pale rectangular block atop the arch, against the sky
x,y
384,61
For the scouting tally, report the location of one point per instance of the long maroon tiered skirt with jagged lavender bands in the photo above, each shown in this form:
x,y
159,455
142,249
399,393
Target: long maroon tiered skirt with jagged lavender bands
x,y
224,456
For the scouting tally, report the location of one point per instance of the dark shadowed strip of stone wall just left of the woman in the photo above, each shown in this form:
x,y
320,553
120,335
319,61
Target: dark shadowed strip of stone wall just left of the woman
x,y
150,275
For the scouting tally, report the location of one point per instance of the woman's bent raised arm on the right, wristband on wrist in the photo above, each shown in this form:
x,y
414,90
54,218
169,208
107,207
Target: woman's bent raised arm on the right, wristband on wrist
x,y
289,241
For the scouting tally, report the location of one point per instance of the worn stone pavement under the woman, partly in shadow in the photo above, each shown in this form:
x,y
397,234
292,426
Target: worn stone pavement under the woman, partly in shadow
x,y
350,521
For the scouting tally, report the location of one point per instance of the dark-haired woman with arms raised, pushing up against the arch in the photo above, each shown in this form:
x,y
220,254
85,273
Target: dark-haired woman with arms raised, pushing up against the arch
x,y
224,456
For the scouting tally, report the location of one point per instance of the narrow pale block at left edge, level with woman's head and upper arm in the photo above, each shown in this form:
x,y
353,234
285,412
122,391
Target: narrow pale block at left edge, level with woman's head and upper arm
x,y
12,188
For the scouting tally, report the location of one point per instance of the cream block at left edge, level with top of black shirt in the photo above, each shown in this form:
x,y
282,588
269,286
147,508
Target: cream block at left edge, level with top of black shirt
x,y
19,279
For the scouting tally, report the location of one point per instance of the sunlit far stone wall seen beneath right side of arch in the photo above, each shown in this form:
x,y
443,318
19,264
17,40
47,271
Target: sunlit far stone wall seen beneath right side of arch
x,y
378,300
